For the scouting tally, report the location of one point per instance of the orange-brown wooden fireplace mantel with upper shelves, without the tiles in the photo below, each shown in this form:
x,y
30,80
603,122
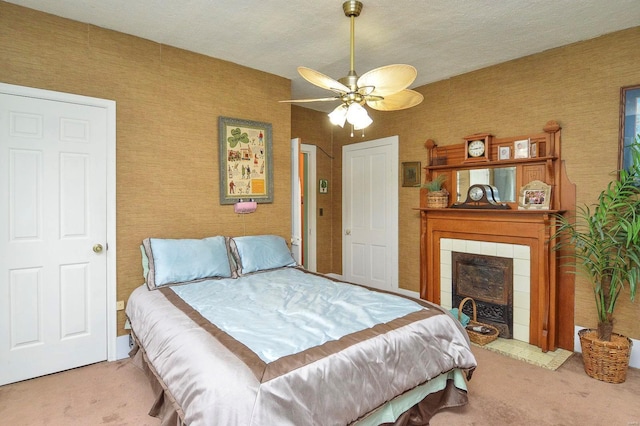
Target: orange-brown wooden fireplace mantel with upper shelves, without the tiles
x,y
552,287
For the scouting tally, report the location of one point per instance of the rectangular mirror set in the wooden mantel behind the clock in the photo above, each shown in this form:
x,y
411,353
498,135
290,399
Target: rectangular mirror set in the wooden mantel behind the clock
x,y
503,178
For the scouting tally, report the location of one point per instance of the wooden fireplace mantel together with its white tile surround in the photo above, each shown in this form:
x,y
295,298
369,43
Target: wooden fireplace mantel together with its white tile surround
x,y
543,295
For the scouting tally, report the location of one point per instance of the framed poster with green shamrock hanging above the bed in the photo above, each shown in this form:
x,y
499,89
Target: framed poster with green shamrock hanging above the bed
x,y
246,161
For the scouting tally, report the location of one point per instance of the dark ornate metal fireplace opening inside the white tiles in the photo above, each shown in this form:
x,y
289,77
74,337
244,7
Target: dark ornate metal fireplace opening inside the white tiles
x,y
489,281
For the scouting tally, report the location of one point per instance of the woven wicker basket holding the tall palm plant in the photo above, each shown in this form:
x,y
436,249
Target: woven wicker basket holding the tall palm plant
x,y
605,361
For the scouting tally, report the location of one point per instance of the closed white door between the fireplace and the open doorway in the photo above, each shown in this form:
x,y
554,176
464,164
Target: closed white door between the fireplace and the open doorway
x,y
370,213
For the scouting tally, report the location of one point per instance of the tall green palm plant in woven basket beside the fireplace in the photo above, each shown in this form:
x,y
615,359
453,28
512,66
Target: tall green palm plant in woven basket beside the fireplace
x,y
604,239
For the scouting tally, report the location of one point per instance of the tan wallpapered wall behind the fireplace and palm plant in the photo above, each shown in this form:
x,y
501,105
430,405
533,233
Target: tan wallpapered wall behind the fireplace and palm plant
x,y
578,85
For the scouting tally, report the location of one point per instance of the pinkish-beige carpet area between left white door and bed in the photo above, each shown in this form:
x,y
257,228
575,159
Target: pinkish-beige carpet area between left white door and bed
x,y
107,393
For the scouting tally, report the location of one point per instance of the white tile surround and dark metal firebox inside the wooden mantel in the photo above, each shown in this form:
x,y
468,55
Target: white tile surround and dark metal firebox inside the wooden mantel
x,y
500,285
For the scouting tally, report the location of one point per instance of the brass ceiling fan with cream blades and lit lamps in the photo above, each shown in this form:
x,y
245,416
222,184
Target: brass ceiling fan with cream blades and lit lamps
x,y
383,88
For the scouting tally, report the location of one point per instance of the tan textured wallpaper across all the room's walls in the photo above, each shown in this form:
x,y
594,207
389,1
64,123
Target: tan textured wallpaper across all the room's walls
x,y
167,179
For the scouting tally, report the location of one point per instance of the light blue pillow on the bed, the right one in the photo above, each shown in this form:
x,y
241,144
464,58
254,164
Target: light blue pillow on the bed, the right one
x,y
260,252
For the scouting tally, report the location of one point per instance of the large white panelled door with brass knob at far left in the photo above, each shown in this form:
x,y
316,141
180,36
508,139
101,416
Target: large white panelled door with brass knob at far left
x,y
53,192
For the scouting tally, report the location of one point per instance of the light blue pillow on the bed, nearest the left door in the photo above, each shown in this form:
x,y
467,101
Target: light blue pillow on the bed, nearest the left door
x,y
179,261
